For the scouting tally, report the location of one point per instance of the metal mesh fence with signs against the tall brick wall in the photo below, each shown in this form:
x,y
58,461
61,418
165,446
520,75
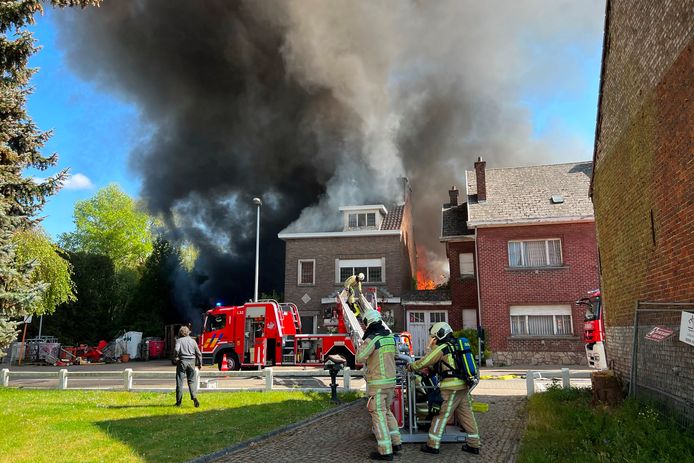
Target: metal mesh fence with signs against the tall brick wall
x,y
662,366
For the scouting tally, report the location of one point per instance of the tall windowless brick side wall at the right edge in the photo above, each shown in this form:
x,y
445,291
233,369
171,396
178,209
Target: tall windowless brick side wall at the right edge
x,y
643,181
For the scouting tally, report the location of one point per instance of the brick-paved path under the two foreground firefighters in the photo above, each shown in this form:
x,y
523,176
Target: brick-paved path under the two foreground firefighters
x,y
347,437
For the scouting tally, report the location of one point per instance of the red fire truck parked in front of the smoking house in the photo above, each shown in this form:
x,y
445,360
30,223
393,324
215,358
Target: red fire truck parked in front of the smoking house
x,y
266,332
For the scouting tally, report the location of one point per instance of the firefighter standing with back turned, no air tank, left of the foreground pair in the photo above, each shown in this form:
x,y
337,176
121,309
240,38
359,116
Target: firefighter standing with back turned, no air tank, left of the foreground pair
x,y
377,353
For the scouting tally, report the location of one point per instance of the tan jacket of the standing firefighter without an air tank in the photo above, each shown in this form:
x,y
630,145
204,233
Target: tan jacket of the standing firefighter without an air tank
x,y
378,355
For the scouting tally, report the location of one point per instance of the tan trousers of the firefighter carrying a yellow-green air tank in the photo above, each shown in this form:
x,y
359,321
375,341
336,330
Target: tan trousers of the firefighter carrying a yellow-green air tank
x,y
458,403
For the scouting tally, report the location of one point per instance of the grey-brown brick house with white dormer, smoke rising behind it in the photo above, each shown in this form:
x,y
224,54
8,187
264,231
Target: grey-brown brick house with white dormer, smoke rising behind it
x,y
376,239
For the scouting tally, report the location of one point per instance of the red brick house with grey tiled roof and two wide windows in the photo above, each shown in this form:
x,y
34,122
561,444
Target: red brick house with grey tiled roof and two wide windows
x,y
523,247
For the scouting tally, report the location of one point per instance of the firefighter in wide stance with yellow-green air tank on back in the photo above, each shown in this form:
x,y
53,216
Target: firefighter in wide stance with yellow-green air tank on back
x,y
454,390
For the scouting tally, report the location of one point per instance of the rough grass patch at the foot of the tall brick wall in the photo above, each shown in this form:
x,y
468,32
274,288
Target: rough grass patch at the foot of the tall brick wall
x,y
563,427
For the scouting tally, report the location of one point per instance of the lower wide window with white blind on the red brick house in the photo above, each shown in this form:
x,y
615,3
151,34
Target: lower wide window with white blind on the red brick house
x,y
549,320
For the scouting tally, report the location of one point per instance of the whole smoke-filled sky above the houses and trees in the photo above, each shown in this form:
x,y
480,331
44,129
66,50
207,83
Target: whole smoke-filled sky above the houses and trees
x,y
311,105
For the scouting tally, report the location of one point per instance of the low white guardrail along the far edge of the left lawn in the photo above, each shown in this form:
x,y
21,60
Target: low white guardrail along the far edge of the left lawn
x,y
129,375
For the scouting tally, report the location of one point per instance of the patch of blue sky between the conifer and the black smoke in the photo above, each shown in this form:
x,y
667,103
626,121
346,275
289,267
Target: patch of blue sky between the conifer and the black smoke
x,y
93,130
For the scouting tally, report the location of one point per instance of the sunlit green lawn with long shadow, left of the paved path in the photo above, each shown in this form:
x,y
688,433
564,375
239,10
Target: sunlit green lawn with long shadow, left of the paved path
x,y
96,426
